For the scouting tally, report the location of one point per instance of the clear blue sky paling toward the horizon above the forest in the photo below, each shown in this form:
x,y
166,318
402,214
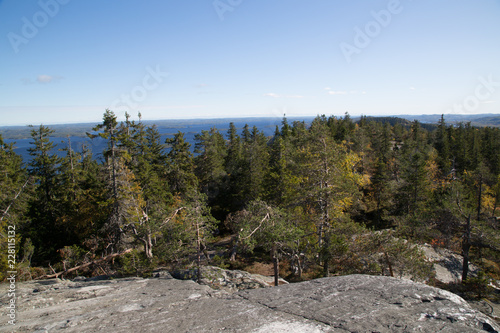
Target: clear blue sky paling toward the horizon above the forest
x,y
66,61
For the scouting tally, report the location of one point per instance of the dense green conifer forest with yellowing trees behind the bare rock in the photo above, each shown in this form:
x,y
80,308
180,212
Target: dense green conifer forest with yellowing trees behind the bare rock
x,y
328,198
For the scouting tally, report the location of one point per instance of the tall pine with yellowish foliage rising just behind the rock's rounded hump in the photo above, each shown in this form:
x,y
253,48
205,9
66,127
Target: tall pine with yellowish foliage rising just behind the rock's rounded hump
x,y
329,183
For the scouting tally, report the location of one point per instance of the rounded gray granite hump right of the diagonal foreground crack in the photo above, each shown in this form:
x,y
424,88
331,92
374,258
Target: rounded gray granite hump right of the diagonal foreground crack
x,y
360,303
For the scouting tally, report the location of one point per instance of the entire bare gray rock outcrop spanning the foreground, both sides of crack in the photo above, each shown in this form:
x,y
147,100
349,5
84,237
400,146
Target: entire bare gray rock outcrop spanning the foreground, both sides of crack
x,y
355,303
